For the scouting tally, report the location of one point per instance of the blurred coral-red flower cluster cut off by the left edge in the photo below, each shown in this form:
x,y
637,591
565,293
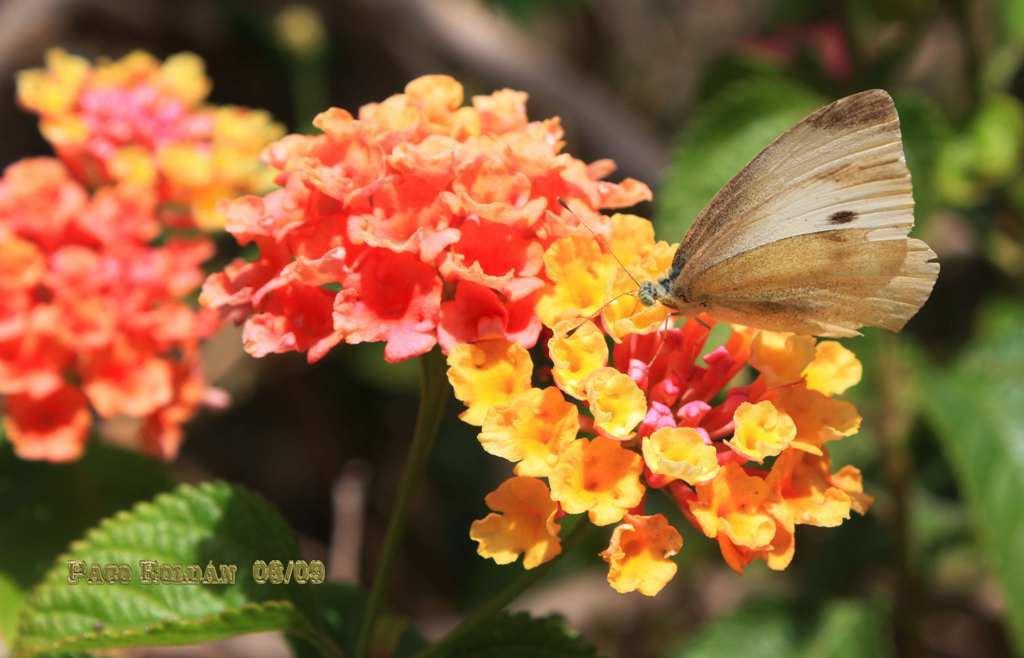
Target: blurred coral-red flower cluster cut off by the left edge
x,y
92,316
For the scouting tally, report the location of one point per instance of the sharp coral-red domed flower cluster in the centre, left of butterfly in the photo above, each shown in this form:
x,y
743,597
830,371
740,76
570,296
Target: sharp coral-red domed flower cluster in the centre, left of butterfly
x,y
418,222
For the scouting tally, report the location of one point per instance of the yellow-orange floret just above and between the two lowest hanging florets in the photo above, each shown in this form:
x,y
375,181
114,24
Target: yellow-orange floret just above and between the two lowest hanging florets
x,y
600,477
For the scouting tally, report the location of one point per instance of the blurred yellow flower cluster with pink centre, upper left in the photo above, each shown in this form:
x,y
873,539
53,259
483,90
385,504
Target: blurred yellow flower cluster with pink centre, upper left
x,y
141,121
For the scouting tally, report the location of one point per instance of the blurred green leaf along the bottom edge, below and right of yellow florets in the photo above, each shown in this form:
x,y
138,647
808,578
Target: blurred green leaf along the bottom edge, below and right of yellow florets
x,y
771,630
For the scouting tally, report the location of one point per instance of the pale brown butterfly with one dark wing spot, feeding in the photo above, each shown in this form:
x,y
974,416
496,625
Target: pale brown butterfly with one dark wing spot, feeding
x,y
812,237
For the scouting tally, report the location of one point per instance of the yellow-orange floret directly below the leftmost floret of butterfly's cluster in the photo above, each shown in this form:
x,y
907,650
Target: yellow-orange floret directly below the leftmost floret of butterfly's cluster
x,y
532,430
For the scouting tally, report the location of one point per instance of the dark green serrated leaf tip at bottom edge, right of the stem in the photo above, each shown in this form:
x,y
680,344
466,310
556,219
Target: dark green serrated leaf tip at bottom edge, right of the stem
x,y
515,636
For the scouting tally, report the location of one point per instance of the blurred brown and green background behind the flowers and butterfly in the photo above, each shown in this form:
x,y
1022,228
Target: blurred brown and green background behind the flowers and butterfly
x,y
681,95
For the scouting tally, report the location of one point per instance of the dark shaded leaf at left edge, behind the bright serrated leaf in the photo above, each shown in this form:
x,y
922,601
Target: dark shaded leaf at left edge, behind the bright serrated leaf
x,y
48,506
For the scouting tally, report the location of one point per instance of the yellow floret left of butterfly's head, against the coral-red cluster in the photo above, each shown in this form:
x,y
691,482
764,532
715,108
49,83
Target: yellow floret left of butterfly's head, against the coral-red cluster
x,y
582,279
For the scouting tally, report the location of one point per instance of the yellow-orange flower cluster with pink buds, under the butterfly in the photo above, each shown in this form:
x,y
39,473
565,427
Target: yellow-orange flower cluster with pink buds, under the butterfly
x,y
745,464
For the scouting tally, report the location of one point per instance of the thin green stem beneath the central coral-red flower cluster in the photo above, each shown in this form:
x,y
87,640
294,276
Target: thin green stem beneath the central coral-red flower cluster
x,y
435,393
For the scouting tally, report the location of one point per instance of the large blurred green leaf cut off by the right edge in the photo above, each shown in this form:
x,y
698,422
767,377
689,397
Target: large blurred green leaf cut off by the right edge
x,y
976,408
